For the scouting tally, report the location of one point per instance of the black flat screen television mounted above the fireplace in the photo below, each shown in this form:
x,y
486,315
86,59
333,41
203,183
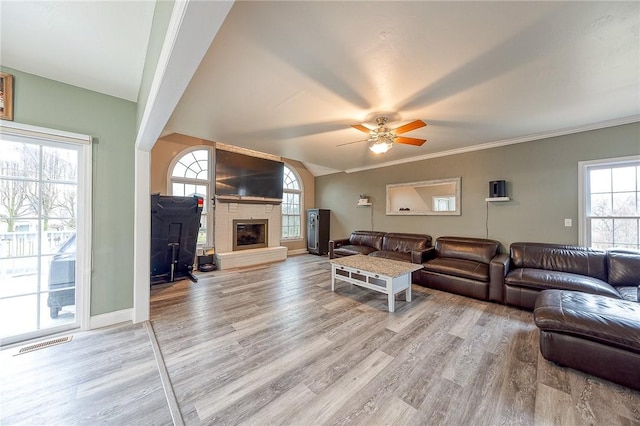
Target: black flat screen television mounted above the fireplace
x,y
246,176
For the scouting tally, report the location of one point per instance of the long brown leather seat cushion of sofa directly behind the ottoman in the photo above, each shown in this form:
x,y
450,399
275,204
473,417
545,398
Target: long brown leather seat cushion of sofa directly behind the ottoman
x,y
541,279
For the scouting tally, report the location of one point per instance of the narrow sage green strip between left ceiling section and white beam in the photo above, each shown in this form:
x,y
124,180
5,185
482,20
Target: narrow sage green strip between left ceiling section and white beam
x,y
161,18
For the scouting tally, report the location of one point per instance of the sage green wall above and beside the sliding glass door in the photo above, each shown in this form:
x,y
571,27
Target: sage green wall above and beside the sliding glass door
x,y
47,103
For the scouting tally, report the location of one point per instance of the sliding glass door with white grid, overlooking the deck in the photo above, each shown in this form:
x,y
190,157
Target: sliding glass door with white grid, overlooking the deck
x,y
40,197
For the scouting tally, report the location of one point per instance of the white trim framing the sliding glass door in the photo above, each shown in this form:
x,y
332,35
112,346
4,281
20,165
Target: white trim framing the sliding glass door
x,y
19,131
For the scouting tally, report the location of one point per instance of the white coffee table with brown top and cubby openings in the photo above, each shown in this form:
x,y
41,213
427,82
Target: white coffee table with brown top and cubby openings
x,y
378,274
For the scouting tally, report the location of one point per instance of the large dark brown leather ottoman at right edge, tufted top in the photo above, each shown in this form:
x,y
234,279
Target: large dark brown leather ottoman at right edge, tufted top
x,y
595,334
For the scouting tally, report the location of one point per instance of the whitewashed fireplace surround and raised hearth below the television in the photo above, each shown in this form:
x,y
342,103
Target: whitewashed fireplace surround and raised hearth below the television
x,y
225,213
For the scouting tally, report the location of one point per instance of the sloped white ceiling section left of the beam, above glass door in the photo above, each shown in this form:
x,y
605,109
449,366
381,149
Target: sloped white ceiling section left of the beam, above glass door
x,y
97,45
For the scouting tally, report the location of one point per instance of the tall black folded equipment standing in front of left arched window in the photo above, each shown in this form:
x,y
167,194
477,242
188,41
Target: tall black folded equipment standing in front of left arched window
x,y
175,222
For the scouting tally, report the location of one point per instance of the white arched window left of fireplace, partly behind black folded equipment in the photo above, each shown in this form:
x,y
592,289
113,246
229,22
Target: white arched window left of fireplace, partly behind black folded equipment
x,y
189,175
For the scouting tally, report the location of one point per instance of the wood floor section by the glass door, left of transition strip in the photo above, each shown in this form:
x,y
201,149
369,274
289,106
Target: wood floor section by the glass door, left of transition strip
x,y
108,376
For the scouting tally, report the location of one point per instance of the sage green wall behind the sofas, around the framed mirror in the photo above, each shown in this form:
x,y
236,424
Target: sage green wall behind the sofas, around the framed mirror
x,y
542,181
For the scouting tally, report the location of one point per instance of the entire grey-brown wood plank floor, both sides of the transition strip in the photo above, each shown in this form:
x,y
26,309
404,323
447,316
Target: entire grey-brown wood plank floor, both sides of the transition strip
x,y
273,345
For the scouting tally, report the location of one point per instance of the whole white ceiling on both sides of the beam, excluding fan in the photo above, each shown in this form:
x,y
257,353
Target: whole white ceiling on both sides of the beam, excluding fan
x,y
289,78
